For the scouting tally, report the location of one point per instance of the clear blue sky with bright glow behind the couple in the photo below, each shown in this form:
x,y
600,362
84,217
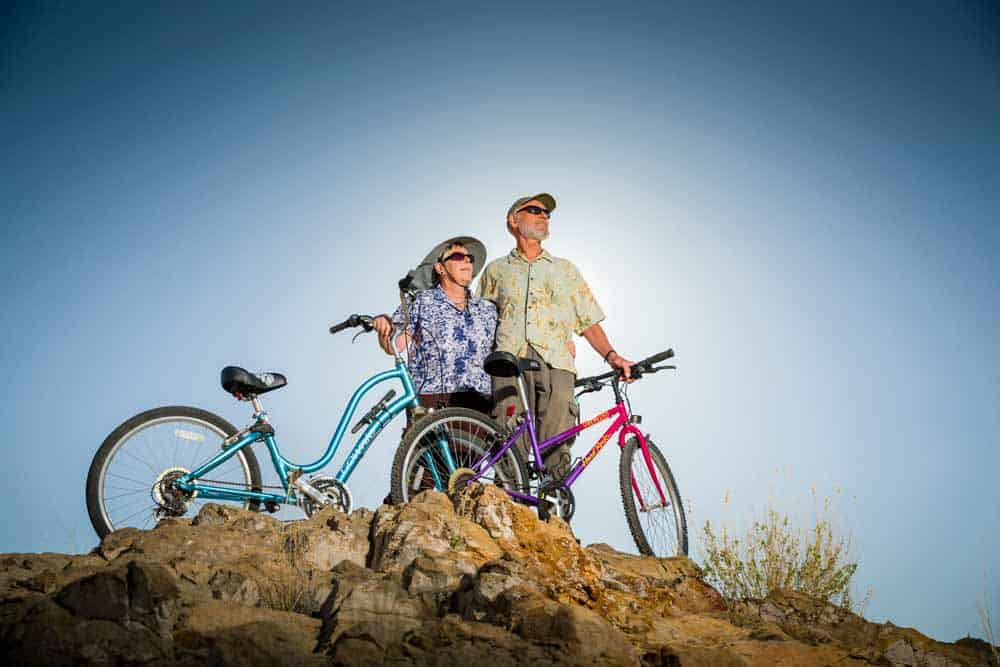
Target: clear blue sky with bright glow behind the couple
x,y
800,198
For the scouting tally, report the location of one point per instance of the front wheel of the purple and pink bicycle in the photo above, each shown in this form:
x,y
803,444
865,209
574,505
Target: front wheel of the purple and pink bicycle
x,y
652,502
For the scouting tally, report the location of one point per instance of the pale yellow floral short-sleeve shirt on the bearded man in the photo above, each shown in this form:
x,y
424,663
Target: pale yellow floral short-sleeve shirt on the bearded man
x,y
541,304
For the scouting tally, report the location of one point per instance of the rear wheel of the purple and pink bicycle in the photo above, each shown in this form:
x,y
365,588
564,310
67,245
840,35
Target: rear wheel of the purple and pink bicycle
x,y
444,446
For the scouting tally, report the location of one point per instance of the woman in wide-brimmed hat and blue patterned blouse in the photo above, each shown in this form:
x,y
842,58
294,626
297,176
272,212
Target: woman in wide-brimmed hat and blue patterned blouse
x,y
450,330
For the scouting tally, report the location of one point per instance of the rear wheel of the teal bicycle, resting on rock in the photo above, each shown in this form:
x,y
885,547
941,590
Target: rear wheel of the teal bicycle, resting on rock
x,y
129,476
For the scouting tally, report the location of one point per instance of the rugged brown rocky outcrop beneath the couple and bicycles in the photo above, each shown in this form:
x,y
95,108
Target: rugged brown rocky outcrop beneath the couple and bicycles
x,y
473,579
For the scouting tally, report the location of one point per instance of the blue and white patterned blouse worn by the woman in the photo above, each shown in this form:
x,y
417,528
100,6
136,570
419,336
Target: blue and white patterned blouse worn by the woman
x,y
449,344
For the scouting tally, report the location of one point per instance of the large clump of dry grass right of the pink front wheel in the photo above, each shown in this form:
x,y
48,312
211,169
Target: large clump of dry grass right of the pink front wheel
x,y
776,552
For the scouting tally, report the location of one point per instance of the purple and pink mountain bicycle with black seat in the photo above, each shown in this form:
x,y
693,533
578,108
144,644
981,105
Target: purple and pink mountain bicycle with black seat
x,y
426,458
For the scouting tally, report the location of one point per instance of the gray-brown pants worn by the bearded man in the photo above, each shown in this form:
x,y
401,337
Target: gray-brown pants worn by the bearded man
x,y
551,401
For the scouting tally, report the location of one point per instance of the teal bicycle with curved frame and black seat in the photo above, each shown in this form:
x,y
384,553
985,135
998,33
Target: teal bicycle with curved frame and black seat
x,y
166,462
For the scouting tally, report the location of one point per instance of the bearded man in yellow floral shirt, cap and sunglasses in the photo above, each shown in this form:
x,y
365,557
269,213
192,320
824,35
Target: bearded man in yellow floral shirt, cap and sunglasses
x,y
542,301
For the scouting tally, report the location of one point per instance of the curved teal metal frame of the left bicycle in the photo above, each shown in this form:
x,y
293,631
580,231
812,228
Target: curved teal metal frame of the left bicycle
x,y
262,431
